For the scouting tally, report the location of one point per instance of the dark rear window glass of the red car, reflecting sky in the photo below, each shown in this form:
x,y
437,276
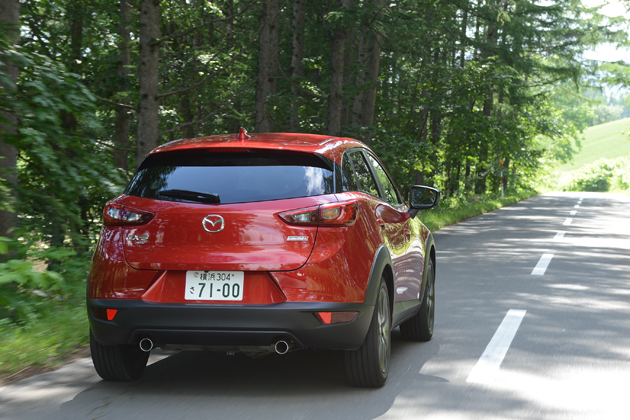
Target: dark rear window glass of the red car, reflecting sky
x,y
236,177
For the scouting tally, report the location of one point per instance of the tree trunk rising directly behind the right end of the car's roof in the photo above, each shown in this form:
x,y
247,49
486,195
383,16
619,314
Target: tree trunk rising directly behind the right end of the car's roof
x,y
335,98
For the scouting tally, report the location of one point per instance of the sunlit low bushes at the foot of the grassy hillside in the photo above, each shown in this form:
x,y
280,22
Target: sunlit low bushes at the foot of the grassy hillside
x,y
602,175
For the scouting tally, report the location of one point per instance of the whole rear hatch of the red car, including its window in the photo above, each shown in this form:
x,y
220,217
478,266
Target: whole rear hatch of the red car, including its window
x,y
218,210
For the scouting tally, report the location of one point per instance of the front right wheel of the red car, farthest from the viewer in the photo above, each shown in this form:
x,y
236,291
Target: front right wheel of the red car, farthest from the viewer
x,y
420,327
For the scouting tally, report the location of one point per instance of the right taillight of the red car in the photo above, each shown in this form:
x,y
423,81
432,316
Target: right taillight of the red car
x,y
333,214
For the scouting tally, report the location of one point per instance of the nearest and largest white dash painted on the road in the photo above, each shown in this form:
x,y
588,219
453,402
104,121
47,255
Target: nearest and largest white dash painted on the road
x,y
490,361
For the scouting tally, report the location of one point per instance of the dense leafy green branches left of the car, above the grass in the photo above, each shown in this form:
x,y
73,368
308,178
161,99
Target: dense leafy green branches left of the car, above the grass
x,y
64,176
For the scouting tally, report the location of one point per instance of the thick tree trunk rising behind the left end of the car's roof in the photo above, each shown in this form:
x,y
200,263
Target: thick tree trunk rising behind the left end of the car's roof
x,y
148,122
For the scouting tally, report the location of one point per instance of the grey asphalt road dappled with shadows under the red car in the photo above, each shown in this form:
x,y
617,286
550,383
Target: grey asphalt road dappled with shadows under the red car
x,y
555,344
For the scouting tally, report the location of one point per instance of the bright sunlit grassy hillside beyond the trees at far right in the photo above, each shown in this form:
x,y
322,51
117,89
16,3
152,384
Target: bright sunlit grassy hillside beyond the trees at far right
x,y
601,141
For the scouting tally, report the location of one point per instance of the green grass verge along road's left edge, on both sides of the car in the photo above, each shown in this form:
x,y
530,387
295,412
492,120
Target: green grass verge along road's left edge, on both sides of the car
x,y
59,331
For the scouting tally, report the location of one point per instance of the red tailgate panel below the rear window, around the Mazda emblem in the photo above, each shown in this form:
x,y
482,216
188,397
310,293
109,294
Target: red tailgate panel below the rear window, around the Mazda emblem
x,y
254,238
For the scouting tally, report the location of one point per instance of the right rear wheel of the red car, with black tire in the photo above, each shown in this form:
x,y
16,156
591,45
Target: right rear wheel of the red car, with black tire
x,y
369,365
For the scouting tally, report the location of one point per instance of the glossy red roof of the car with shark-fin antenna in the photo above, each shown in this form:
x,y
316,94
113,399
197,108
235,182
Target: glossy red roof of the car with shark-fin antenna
x,y
328,146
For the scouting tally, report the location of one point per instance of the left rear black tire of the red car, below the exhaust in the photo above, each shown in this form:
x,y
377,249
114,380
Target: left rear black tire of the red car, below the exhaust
x,y
118,363
